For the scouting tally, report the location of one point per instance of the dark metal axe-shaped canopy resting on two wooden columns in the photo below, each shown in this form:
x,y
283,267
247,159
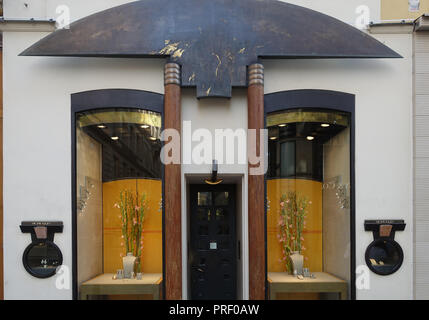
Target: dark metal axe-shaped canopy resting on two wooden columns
x,y
213,40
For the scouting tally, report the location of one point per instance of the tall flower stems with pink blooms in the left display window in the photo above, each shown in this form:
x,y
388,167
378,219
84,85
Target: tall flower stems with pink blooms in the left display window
x,y
133,208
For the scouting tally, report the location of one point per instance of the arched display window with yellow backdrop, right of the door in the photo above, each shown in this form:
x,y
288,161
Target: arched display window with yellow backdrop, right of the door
x,y
308,203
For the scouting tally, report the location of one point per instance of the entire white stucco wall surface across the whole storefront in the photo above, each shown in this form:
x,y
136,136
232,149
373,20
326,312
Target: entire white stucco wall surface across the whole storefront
x,y
37,141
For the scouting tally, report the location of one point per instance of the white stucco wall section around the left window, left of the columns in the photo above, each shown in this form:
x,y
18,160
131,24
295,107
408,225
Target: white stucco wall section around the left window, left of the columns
x,y
37,145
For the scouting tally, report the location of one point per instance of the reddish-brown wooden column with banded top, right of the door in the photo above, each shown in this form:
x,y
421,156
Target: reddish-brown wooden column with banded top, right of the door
x,y
257,274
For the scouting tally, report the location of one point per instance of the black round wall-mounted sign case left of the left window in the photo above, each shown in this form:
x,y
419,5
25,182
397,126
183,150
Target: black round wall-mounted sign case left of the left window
x,y
42,257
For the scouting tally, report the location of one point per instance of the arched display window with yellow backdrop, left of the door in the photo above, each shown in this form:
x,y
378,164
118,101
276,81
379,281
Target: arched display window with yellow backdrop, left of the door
x,y
119,191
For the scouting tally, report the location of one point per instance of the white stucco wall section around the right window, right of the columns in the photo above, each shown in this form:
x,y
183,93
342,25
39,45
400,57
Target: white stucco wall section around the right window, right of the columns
x,y
384,105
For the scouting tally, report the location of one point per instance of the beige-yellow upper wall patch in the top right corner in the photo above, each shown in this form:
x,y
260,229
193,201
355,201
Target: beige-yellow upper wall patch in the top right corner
x,y
400,9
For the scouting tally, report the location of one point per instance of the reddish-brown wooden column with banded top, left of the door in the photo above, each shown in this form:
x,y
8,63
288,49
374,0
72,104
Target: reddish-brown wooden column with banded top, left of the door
x,y
172,189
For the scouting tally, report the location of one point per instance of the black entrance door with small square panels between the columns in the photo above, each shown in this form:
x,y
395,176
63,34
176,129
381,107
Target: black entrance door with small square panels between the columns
x,y
213,249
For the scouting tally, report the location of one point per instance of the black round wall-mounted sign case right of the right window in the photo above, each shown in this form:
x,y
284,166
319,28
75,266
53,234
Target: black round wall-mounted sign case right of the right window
x,y
384,256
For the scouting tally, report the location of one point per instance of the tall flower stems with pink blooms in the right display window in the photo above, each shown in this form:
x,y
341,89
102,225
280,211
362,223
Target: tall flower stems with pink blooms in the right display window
x,y
293,210
